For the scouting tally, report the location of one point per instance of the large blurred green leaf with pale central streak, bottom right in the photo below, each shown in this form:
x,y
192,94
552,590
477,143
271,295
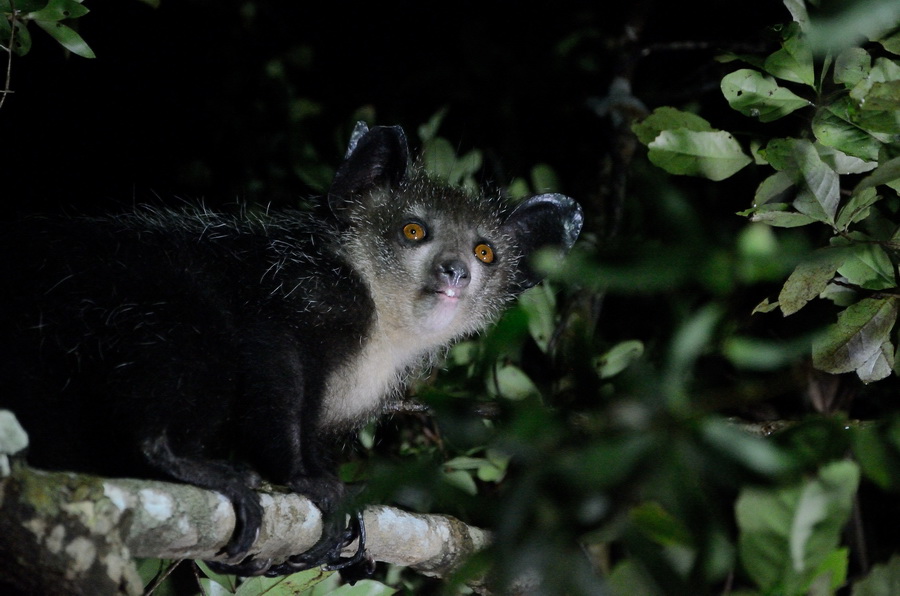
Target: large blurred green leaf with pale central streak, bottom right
x,y
789,536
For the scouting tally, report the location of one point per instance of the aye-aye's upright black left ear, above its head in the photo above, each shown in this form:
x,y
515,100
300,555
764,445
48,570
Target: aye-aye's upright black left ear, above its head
x,y
376,157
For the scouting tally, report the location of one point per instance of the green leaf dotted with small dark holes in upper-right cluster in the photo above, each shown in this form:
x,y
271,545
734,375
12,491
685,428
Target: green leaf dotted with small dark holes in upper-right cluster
x,y
756,95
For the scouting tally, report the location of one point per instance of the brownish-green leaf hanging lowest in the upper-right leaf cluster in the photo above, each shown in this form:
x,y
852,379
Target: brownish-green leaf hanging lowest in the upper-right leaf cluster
x,y
859,341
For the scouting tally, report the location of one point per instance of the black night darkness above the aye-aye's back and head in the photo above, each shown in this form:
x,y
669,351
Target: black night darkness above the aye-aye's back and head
x,y
205,99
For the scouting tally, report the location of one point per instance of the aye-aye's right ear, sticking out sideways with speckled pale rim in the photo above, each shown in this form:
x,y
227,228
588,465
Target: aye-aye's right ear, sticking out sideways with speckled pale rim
x,y
549,220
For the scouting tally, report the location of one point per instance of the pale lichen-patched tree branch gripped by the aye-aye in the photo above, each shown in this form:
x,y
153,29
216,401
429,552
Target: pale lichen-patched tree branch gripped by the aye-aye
x,y
63,533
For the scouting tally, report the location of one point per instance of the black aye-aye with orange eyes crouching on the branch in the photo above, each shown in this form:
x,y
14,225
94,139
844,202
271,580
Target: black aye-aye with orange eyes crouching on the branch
x,y
219,349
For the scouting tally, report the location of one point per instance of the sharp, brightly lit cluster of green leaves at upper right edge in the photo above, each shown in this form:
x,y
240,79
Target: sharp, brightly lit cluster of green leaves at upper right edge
x,y
853,129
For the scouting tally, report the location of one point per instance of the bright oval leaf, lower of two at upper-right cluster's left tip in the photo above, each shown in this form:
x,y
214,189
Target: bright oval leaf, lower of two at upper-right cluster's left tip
x,y
714,155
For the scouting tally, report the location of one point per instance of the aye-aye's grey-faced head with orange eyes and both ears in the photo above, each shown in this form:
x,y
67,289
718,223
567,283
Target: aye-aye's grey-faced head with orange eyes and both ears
x,y
439,261
